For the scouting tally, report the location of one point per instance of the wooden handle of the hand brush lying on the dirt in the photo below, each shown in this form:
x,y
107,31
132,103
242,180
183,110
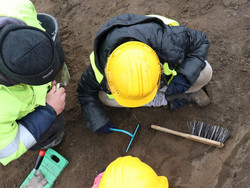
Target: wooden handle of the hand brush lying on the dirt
x,y
189,136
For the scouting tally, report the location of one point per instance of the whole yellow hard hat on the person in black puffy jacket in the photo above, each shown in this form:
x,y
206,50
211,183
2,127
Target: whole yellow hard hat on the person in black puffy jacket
x,y
133,73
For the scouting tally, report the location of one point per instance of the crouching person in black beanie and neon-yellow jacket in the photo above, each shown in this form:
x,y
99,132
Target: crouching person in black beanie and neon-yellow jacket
x,y
31,106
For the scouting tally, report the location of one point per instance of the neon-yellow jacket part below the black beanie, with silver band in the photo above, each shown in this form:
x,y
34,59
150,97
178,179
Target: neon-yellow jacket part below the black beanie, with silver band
x,y
16,102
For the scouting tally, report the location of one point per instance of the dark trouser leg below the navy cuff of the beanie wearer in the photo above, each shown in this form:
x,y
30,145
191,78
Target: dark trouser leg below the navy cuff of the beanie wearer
x,y
52,133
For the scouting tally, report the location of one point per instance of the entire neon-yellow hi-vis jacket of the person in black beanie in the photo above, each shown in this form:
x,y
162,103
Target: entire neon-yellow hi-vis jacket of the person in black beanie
x,y
19,100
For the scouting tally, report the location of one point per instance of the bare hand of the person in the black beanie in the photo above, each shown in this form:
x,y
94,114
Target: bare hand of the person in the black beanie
x,y
56,99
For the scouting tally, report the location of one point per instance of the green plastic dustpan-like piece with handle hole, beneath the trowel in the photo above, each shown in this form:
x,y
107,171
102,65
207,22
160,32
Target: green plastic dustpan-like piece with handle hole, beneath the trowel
x,y
51,167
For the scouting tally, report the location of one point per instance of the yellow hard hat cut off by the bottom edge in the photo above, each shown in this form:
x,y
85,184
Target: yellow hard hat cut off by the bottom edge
x,y
131,172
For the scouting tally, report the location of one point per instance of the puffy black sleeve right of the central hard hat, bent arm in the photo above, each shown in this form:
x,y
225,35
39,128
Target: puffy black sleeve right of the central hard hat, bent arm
x,y
183,48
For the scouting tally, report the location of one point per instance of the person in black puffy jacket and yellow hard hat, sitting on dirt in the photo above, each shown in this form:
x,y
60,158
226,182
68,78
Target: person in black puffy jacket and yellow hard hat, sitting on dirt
x,y
143,61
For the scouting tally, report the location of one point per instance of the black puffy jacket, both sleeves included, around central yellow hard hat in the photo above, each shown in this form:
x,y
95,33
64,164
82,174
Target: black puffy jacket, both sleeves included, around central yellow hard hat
x,y
183,48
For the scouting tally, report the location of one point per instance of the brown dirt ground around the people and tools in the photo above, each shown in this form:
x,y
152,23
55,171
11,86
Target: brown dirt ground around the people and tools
x,y
185,163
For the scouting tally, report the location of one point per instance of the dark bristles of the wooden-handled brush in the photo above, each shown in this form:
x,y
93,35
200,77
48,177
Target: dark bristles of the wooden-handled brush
x,y
211,132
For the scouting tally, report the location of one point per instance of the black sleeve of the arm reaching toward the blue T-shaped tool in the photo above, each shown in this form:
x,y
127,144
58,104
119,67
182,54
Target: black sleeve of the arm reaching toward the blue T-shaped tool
x,y
88,89
